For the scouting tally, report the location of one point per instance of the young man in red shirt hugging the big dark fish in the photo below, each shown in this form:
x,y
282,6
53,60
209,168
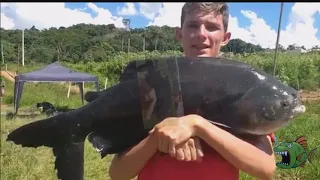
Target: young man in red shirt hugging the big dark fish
x,y
203,31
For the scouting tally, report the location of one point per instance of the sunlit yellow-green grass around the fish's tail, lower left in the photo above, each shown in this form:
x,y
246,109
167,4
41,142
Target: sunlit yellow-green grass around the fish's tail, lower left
x,y
19,163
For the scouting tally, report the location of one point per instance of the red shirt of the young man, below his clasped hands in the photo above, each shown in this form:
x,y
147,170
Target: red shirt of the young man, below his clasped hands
x,y
213,166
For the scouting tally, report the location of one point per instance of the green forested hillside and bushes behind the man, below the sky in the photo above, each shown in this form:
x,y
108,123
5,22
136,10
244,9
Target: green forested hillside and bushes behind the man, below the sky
x,y
102,50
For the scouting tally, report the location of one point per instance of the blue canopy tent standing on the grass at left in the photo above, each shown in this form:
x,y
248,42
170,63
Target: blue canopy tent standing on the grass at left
x,y
52,73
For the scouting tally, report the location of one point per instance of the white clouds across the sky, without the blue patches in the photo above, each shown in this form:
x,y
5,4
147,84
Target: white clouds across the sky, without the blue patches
x,y
300,28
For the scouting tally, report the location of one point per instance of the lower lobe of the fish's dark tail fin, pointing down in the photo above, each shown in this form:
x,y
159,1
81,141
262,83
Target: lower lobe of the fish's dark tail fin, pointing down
x,y
69,161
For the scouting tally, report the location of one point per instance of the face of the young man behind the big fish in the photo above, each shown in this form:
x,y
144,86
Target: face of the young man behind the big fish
x,y
202,34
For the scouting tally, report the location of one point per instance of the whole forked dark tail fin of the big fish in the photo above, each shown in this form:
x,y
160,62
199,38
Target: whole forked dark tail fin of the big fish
x,y
56,133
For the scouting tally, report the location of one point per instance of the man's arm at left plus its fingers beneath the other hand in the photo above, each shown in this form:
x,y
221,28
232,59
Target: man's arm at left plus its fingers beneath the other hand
x,y
128,165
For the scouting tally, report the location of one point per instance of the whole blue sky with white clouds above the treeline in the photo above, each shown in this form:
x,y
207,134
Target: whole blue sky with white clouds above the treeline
x,y
256,23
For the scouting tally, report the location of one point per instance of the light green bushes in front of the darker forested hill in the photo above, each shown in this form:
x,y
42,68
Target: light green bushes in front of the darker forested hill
x,y
300,71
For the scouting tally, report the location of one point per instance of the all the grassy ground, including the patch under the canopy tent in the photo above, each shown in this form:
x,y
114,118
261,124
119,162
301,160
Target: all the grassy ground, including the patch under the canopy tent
x,y
27,163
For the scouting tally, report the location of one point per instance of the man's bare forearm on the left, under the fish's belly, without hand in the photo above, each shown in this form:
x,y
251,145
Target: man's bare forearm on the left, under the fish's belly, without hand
x,y
128,164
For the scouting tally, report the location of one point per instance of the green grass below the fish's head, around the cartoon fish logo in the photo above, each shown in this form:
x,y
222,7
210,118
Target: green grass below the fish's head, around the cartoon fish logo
x,y
307,125
